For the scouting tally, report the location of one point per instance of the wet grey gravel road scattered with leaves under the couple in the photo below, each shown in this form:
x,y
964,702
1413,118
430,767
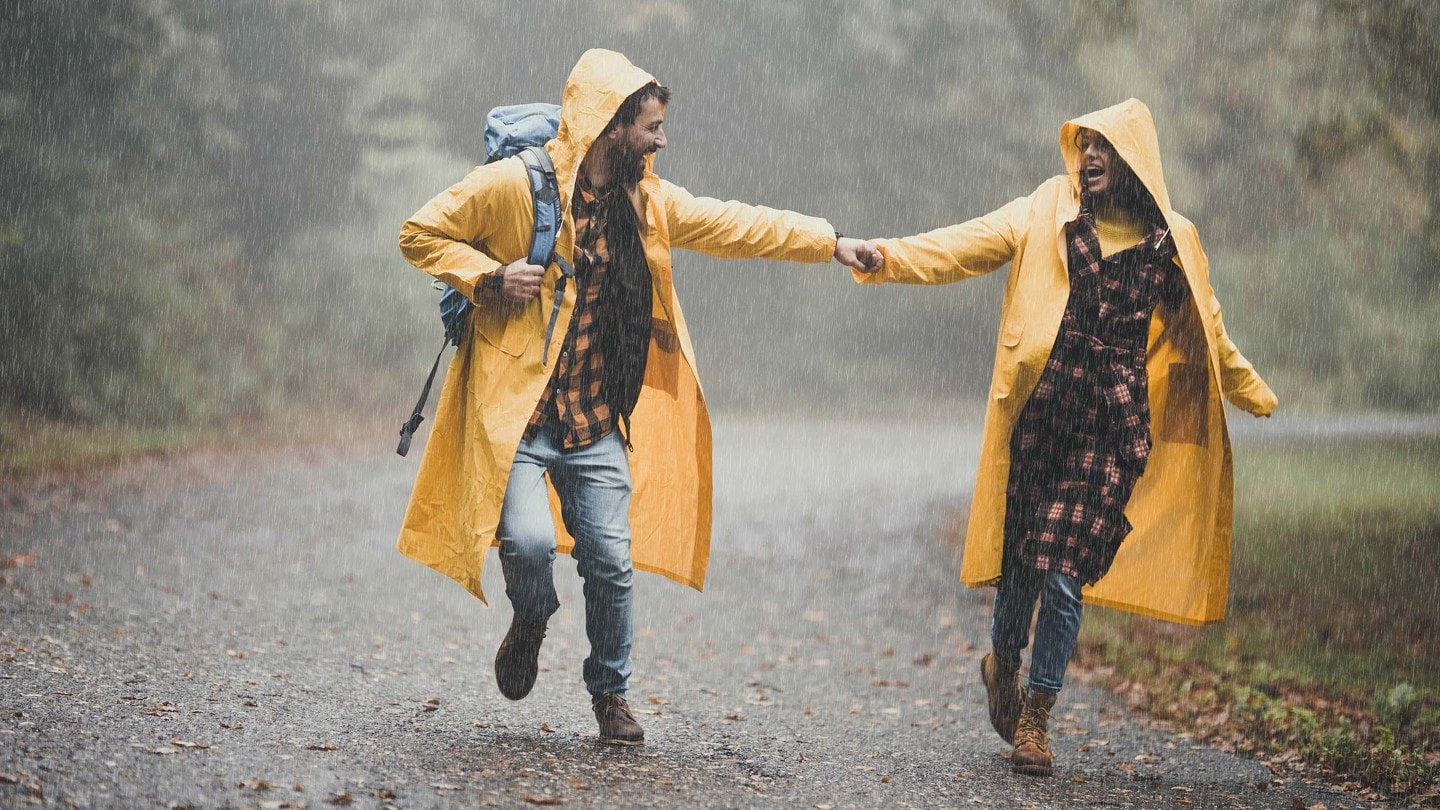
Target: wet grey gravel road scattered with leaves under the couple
x,y
240,632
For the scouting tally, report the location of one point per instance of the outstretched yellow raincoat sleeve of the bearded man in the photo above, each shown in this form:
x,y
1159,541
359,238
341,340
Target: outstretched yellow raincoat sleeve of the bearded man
x,y
737,231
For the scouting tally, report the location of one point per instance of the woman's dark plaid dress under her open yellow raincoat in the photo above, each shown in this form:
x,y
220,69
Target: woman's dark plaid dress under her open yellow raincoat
x,y
1084,436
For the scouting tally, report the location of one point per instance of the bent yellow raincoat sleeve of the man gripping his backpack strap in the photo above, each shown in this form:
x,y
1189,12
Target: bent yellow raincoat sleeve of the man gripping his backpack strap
x,y
440,239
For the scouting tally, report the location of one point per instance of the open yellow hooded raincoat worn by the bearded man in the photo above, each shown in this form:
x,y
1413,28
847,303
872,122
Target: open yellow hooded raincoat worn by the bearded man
x,y
498,375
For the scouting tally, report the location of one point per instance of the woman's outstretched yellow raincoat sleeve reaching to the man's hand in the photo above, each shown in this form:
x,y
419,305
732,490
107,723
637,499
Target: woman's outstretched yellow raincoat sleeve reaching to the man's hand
x,y
957,253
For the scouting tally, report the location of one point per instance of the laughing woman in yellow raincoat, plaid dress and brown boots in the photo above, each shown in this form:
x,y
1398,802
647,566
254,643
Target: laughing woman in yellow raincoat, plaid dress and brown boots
x,y
1110,329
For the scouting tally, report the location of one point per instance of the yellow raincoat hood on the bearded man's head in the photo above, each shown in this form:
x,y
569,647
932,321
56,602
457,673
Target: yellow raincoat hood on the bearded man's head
x,y
598,84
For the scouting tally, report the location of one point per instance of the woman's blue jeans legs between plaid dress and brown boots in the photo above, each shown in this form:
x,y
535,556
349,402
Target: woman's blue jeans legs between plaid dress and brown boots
x,y
1056,631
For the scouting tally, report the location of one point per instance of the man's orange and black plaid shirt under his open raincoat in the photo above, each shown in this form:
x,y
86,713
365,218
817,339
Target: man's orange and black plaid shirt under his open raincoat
x,y
572,397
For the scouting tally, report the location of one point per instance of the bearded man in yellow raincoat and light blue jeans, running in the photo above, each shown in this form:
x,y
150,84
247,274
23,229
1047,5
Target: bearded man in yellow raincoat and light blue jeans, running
x,y
613,400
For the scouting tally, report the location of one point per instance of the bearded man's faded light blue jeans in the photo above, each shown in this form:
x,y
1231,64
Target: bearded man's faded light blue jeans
x,y
595,492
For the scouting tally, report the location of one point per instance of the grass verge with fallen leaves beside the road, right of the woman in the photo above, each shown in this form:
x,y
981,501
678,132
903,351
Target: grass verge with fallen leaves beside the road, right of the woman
x,y
1327,659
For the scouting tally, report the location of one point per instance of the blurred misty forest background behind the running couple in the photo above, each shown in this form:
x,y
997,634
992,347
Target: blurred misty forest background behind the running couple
x,y
199,201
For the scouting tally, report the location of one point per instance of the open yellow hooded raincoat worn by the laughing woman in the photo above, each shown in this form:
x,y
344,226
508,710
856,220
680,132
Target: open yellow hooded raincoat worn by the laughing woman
x,y
1176,564
